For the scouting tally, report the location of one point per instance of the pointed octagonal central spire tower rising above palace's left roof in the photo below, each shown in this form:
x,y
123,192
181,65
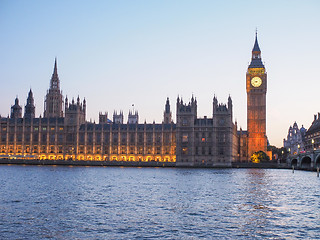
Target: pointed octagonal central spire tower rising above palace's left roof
x,y
53,105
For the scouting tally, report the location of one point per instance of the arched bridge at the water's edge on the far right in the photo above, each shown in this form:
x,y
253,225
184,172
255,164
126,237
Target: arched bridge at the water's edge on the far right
x,y
305,160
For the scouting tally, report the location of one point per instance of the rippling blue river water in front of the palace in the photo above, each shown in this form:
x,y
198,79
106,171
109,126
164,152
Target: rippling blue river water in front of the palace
x,y
48,202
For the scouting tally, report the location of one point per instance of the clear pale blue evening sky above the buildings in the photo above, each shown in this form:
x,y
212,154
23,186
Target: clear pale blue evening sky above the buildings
x,y
119,53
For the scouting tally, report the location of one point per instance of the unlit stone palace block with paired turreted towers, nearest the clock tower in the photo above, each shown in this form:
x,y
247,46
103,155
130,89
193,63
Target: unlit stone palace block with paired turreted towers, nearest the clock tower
x,y
204,141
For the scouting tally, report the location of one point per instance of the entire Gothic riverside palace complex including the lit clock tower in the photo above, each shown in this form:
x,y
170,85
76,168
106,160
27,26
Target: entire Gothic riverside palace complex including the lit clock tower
x,y
63,133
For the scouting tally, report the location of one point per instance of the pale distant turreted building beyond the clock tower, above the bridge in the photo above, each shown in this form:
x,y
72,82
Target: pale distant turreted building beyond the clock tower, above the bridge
x,y
295,139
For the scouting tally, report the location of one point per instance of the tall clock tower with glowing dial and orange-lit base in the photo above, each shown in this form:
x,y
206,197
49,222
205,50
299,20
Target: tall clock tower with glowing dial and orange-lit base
x,y
256,83
